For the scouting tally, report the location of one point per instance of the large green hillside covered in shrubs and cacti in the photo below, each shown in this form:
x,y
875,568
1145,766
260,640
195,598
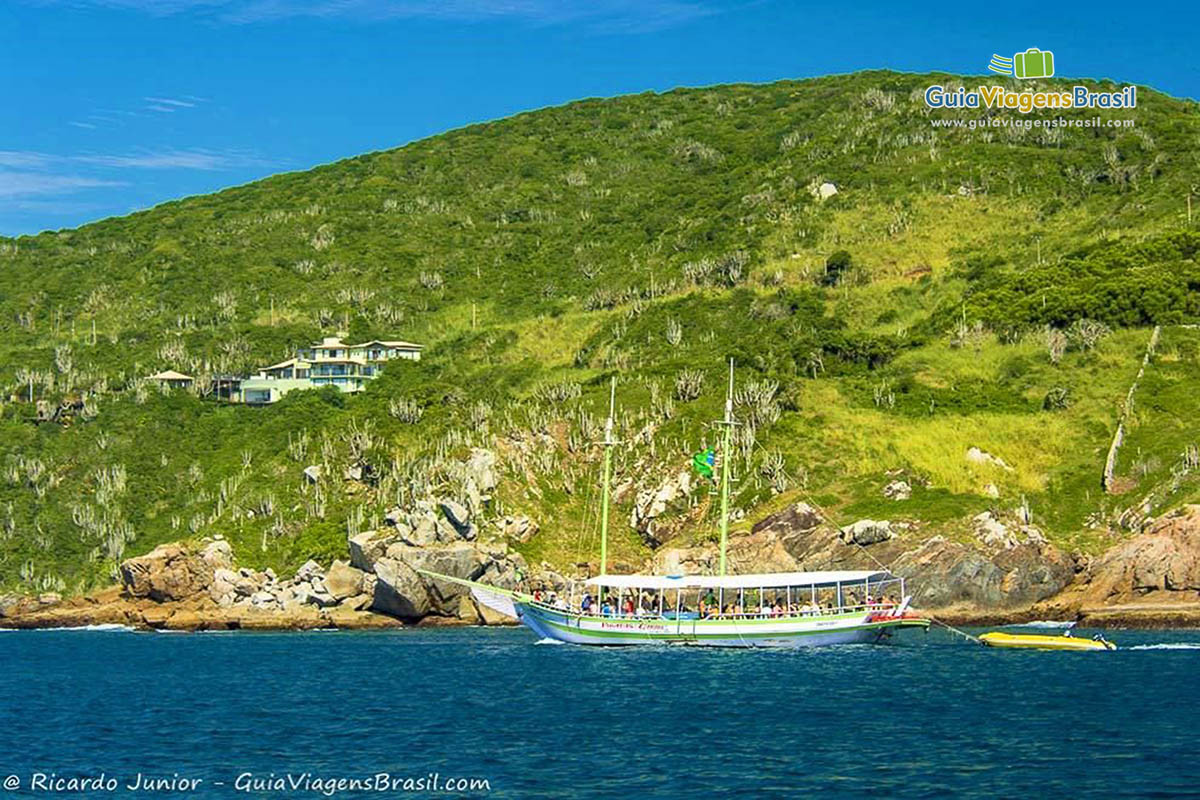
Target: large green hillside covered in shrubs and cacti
x,y
992,290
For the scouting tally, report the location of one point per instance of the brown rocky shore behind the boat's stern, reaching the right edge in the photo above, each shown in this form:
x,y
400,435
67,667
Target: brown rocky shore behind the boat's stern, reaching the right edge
x,y
1006,572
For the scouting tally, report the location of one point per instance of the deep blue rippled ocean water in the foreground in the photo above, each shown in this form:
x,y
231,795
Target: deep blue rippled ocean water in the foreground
x,y
928,715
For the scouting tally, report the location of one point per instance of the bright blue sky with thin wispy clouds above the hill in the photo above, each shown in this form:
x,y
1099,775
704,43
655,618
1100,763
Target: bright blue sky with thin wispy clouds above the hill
x,y
113,106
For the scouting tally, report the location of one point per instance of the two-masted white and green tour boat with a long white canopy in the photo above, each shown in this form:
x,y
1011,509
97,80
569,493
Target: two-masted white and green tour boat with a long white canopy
x,y
748,611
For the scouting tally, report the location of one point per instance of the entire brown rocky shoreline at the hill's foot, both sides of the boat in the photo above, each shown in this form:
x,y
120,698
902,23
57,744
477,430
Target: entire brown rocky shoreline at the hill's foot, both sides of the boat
x,y
1005,573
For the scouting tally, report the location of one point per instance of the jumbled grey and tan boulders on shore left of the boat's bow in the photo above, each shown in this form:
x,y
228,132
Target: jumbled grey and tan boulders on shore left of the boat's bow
x,y
184,587
